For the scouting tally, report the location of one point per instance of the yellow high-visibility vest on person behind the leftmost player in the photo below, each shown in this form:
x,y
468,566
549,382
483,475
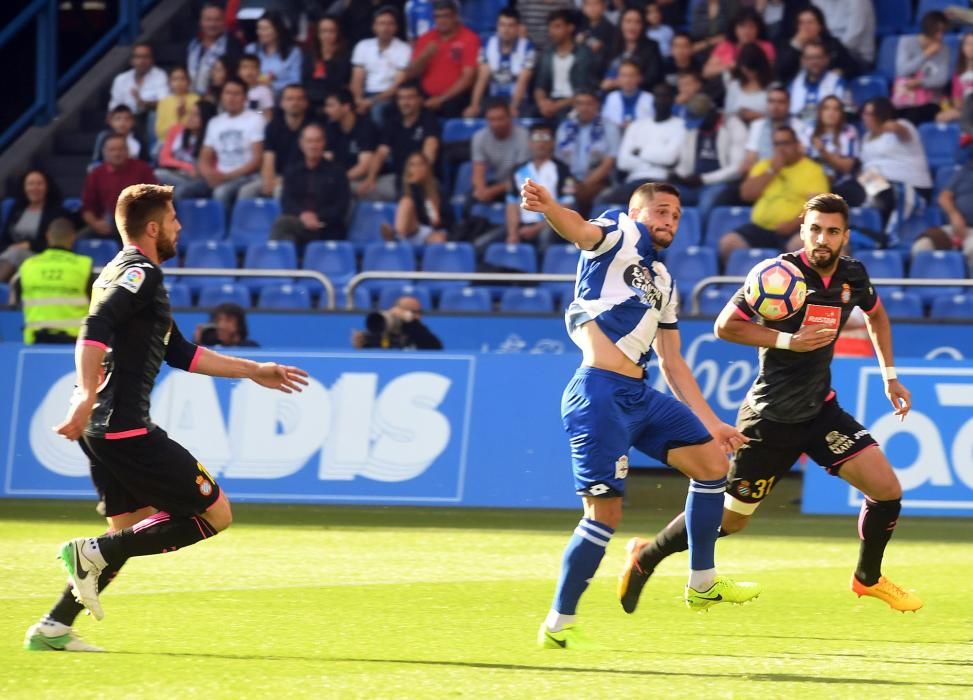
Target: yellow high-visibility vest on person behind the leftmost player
x,y
54,292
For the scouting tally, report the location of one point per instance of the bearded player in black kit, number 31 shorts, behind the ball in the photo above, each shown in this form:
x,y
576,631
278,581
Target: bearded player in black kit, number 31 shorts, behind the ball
x,y
791,408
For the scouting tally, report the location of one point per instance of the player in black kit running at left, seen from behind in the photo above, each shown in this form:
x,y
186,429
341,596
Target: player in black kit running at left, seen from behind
x,y
157,496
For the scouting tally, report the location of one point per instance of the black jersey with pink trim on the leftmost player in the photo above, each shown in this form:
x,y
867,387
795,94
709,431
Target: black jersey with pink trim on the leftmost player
x,y
130,315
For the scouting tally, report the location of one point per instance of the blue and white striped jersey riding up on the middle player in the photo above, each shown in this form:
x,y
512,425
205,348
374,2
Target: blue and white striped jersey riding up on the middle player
x,y
624,287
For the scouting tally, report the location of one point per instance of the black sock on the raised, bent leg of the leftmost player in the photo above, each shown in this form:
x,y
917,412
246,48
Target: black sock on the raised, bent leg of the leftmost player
x,y
156,534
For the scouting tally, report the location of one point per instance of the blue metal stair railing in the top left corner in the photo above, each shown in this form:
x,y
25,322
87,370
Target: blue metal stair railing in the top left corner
x,y
48,84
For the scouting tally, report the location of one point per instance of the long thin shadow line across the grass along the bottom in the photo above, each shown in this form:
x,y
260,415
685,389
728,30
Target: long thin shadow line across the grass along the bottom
x,y
767,677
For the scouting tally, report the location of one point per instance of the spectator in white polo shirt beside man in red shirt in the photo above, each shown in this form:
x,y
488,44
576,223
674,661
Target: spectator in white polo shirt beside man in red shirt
x,y
378,65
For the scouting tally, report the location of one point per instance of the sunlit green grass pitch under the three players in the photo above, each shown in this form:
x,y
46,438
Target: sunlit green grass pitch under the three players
x,y
342,602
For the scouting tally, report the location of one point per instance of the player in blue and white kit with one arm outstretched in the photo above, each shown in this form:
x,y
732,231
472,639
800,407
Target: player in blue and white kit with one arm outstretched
x,y
625,307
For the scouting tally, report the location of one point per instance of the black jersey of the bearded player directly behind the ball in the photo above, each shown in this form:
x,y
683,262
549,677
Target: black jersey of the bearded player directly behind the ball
x,y
791,387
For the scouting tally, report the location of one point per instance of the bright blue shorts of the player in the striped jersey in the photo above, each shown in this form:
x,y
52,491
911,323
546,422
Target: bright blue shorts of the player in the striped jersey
x,y
605,414
